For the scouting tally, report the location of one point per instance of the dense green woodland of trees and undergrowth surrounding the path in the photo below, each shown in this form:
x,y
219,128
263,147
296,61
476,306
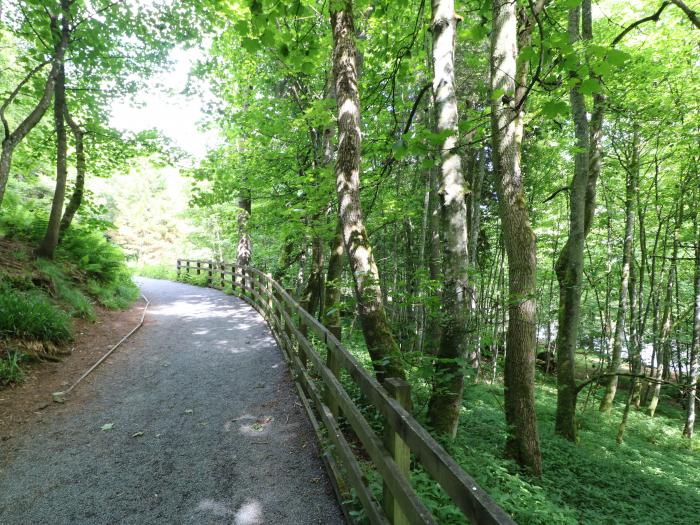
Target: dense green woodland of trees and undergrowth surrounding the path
x,y
497,201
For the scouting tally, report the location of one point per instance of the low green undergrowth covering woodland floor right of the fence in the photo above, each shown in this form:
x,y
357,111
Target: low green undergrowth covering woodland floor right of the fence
x,y
596,481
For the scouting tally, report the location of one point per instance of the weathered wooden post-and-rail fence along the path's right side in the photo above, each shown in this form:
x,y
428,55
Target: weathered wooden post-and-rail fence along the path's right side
x,y
331,409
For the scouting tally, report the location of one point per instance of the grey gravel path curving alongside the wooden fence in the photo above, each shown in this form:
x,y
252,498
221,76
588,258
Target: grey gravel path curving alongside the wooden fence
x,y
207,429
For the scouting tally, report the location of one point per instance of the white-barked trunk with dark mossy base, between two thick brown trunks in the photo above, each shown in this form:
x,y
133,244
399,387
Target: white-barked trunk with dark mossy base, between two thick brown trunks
x,y
448,384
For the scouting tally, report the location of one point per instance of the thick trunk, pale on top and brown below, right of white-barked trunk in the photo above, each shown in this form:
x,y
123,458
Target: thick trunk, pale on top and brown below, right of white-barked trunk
x,y
519,240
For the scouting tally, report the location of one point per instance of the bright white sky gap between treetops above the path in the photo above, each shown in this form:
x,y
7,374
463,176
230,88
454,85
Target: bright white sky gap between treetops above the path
x,y
163,106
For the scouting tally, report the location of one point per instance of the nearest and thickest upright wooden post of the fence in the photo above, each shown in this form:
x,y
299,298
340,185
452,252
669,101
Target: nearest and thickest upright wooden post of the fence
x,y
401,391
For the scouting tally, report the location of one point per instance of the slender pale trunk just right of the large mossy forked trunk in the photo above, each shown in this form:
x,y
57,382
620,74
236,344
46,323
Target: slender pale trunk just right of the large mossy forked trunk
x,y
630,200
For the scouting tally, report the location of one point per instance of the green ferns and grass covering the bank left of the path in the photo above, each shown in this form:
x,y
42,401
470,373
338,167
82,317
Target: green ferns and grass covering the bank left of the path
x,y
39,297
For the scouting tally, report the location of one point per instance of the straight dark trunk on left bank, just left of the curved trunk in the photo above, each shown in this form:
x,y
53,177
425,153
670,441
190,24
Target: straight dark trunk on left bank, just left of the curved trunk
x,y
48,245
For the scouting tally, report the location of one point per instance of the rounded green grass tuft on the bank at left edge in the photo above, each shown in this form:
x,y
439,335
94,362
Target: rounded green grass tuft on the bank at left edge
x,y
31,315
